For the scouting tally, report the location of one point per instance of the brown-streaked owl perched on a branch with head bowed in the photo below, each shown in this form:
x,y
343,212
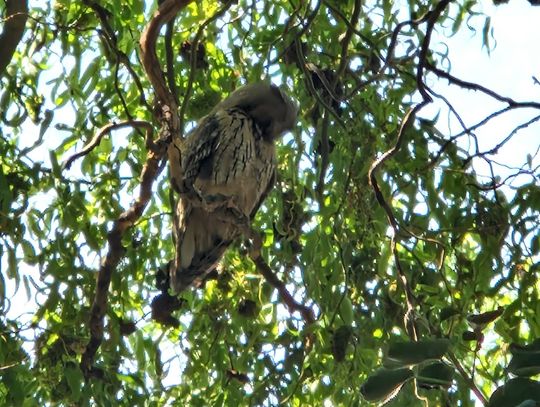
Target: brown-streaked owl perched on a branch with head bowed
x,y
227,162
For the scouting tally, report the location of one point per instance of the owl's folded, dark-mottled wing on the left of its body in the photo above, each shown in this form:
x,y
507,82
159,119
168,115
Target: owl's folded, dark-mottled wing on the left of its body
x,y
200,146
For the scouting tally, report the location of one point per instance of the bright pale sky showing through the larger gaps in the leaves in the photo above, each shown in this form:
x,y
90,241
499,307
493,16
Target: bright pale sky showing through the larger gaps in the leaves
x,y
508,68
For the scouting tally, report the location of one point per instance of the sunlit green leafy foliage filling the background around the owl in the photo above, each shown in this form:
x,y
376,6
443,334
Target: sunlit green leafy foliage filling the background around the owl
x,y
428,272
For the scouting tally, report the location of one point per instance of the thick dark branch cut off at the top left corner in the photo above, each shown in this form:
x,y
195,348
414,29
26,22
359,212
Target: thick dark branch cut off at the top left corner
x,y
14,22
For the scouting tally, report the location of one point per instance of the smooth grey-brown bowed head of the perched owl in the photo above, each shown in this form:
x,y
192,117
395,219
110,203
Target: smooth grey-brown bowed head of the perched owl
x,y
267,105
